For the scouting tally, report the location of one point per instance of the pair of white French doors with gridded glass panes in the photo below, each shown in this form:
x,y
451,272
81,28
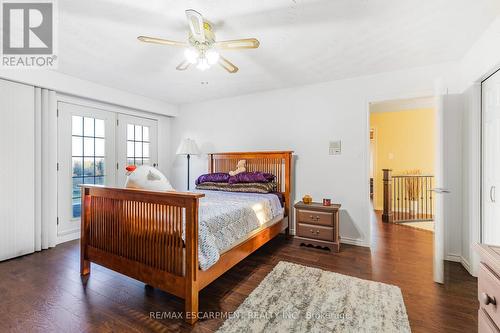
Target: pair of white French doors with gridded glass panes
x,y
94,147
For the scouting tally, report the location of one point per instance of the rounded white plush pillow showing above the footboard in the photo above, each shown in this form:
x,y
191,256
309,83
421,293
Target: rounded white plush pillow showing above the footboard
x,y
146,177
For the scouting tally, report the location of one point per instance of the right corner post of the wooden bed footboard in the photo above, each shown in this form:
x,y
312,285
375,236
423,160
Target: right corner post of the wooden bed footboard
x,y
191,276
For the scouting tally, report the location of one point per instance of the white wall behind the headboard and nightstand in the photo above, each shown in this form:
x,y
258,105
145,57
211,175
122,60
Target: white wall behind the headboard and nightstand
x,y
305,119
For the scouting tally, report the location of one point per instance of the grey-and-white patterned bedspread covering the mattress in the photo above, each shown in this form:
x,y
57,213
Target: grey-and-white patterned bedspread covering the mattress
x,y
227,219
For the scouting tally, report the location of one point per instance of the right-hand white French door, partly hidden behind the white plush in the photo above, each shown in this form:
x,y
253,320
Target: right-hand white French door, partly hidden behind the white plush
x,y
137,144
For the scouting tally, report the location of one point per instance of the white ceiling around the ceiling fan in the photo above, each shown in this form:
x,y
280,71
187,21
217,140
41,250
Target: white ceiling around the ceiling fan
x,y
302,41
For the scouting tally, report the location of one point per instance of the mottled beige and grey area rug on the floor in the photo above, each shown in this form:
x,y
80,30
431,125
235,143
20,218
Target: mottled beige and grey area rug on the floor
x,y
296,298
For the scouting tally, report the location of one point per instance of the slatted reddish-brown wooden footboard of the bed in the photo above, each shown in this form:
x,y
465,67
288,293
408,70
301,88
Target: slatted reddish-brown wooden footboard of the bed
x,y
140,234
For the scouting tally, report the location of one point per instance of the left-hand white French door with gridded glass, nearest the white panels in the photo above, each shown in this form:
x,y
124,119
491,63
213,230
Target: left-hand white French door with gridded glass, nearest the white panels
x,y
86,155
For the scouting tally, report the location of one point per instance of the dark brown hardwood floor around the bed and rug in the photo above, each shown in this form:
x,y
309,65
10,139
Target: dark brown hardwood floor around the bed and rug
x,y
44,292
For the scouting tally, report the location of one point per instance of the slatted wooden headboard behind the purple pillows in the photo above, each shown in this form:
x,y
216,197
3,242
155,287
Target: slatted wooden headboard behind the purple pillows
x,y
278,163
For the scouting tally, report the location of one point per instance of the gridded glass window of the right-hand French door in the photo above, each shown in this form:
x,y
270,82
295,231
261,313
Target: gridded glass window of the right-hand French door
x,y
138,143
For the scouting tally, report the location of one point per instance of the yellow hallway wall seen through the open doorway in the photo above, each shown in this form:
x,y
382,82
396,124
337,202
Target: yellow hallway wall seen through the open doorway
x,y
404,141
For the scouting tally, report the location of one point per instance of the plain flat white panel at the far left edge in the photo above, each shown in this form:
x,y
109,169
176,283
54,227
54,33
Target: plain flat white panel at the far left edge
x,y
17,178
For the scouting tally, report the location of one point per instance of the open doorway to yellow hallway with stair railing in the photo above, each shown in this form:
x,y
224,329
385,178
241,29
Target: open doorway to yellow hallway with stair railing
x,y
406,166
